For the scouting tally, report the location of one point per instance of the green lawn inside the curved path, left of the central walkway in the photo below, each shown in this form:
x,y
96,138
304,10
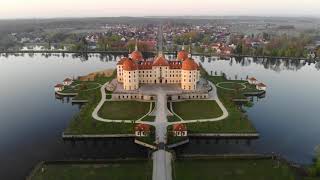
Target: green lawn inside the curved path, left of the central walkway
x,y
124,110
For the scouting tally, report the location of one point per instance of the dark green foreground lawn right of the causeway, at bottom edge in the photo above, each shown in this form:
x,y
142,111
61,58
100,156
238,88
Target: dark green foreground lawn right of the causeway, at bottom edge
x,y
232,170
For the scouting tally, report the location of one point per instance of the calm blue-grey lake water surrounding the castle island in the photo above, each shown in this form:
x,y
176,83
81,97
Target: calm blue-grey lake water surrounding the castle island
x,y
32,120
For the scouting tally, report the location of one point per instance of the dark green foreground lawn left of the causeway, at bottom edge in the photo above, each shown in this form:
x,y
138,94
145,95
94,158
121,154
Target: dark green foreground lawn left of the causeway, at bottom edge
x,y
133,170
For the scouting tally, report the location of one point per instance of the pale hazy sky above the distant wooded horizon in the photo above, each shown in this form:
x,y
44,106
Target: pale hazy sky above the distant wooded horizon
x,y
102,8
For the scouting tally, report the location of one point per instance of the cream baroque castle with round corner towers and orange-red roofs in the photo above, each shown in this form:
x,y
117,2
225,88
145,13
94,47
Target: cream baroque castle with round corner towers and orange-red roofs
x,y
135,70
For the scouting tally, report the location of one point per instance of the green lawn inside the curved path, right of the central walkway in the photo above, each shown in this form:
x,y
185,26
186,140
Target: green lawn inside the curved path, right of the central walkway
x,y
193,110
